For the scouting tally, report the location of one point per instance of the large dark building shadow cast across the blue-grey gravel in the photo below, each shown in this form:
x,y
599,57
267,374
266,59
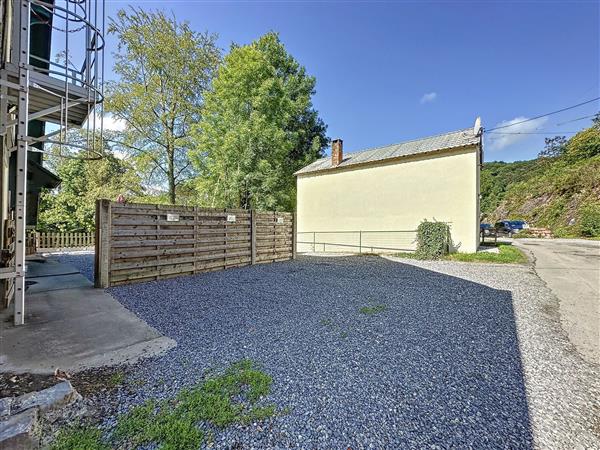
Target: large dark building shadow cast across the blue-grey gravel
x,y
438,364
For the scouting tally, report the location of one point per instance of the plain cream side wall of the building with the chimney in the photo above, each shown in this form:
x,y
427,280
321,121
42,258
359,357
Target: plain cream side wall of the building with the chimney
x,y
391,196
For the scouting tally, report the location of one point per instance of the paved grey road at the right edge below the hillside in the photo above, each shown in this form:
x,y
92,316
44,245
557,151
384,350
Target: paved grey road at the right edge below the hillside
x,y
571,268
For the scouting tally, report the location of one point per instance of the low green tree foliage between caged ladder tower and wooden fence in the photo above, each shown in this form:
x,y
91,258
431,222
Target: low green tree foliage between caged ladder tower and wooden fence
x,y
72,206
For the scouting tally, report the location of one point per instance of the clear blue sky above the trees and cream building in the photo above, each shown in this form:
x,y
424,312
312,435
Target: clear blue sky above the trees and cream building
x,y
393,71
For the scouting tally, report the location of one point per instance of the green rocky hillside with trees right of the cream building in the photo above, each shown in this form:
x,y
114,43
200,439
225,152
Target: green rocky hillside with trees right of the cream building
x,y
559,190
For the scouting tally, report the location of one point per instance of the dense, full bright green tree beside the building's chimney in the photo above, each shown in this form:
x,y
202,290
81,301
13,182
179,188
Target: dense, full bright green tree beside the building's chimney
x,y
259,126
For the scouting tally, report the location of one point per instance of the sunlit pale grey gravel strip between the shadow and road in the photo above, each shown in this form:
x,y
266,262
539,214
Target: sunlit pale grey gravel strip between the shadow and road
x,y
563,389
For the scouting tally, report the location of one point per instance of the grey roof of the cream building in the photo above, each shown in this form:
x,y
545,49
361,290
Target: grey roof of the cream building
x,y
430,144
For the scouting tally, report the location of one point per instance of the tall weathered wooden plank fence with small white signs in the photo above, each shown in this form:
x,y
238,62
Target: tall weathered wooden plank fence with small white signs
x,y
141,242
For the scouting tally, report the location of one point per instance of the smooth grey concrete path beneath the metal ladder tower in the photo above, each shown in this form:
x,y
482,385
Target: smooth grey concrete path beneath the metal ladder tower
x,y
71,325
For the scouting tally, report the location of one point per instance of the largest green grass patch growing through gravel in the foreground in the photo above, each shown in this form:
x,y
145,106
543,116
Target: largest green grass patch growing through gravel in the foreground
x,y
222,399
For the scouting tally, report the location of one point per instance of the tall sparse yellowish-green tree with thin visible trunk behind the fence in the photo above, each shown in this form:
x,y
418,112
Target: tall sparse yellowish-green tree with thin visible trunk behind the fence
x,y
164,70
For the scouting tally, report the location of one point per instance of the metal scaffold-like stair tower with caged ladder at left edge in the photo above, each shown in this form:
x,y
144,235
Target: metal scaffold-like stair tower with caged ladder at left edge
x,y
63,92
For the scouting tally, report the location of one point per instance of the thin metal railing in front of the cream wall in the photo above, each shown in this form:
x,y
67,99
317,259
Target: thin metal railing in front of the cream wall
x,y
363,240
